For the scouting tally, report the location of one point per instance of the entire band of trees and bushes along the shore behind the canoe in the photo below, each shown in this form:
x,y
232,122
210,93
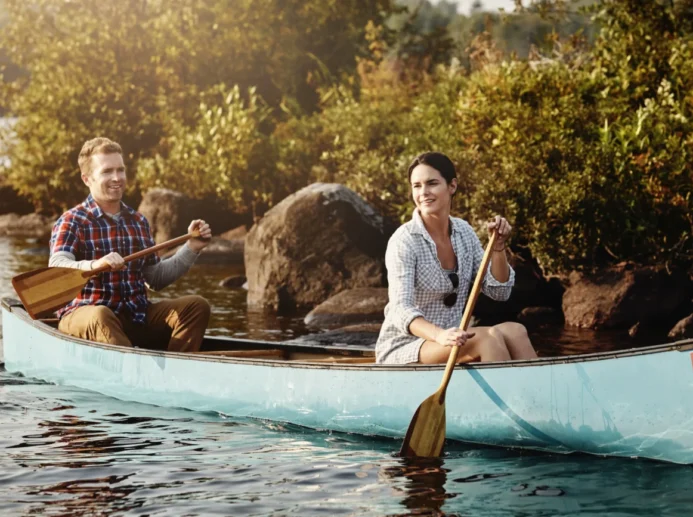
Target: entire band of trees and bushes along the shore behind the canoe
x,y
574,125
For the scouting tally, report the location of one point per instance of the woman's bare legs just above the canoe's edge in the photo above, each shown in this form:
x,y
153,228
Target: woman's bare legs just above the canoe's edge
x,y
488,344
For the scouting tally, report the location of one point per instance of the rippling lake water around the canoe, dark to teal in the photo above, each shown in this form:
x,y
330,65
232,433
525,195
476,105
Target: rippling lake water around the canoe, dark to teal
x,y
66,451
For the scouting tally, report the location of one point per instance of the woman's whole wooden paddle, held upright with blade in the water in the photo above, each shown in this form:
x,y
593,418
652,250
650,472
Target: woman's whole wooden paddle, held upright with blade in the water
x,y
426,432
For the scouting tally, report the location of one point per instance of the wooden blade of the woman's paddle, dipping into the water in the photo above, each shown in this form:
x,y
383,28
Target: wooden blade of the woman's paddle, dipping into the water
x,y
426,433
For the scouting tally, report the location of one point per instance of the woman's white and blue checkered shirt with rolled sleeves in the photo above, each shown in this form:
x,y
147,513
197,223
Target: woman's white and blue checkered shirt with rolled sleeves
x,y
418,285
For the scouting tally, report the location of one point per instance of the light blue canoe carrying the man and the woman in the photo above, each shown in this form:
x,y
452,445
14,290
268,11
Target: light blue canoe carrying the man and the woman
x,y
634,403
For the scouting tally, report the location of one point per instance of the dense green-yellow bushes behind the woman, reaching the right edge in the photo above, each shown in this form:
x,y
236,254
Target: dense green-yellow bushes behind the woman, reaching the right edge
x,y
586,150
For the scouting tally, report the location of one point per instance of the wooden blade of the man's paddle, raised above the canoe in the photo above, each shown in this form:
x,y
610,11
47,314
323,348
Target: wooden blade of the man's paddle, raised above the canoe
x,y
43,291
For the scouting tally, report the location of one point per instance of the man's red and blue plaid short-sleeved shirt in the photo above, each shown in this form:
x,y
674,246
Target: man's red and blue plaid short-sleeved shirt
x,y
89,234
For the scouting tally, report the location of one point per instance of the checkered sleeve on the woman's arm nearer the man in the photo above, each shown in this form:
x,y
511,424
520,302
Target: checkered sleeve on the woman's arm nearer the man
x,y
400,260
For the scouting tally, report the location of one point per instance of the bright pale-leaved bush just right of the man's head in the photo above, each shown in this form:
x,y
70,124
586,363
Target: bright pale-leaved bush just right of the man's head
x,y
223,155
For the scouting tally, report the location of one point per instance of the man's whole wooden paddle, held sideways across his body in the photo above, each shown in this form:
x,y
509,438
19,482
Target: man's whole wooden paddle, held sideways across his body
x,y
44,290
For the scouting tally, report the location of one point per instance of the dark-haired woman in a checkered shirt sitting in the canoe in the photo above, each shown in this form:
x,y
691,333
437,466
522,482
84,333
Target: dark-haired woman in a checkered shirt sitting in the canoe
x,y
431,262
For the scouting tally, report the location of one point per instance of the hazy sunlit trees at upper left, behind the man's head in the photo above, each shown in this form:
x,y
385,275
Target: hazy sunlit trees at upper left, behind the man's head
x,y
132,70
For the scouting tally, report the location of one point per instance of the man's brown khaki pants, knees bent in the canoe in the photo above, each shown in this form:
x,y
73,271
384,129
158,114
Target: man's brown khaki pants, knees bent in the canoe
x,y
180,322
